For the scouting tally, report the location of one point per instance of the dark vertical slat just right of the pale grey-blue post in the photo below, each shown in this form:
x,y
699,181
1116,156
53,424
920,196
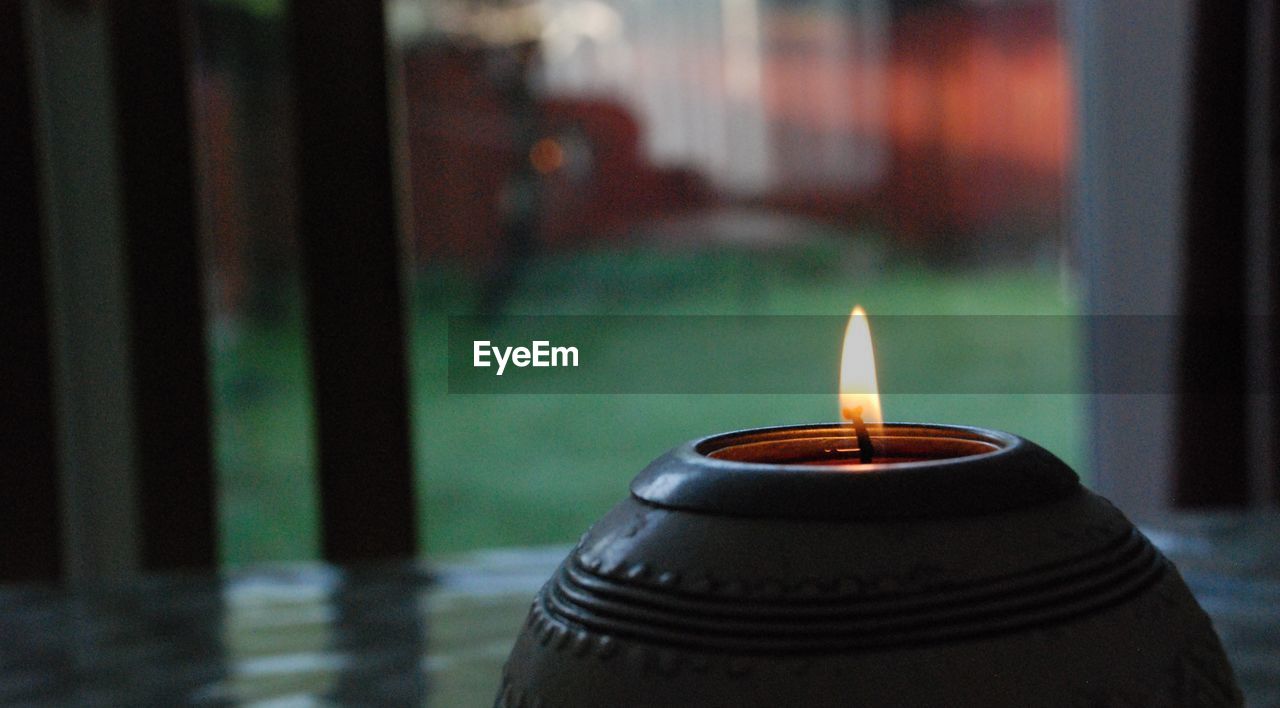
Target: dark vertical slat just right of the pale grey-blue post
x,y
1213,432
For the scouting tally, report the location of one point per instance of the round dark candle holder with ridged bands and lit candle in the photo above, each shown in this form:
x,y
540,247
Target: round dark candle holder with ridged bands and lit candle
x,y
959,568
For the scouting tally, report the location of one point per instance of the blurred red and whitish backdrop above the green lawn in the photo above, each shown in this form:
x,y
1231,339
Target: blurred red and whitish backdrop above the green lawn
x,y
938,126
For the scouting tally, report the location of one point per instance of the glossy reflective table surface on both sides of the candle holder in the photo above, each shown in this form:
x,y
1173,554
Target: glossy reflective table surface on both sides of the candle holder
x,y
437,634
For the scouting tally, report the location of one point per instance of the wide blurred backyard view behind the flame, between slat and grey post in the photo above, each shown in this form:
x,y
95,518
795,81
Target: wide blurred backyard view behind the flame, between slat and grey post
x,y
607,158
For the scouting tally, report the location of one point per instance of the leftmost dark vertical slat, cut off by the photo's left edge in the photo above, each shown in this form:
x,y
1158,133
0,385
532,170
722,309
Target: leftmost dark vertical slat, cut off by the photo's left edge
x,y
30,540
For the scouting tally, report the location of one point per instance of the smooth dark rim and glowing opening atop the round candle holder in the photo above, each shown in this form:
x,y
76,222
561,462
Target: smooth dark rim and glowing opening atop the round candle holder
x,y
921,471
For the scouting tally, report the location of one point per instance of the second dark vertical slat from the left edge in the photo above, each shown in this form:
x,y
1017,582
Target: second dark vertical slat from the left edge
x,y
166,300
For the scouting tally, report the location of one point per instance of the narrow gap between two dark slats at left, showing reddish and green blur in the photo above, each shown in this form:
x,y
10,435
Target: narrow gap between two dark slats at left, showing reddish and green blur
x,y
263,421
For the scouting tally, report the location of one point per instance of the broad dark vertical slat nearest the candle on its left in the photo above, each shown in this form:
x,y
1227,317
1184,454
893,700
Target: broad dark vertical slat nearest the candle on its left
x,y
351,257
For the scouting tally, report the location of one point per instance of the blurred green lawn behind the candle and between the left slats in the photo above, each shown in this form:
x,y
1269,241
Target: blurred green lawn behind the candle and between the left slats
x,y
524,471
